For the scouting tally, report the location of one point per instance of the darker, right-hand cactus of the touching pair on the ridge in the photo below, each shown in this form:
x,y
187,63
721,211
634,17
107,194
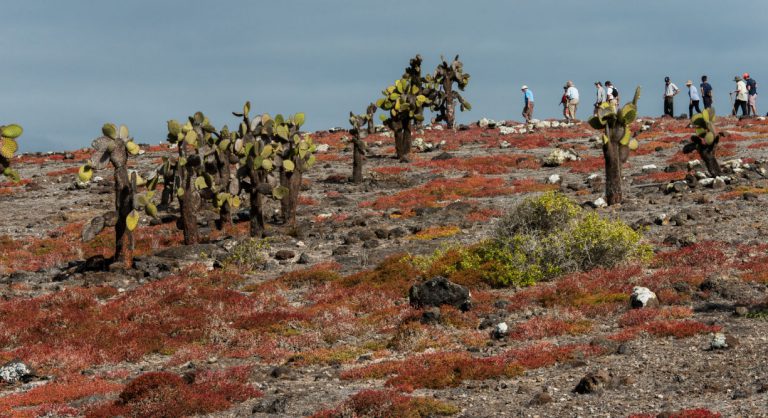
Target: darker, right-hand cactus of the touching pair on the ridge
x,y
445,98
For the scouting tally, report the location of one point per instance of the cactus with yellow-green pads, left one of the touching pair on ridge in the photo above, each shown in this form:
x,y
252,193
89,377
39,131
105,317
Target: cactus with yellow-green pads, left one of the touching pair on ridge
x,y
405,101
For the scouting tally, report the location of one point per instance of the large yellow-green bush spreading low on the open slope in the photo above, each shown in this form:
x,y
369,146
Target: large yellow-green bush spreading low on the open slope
x,y
544,237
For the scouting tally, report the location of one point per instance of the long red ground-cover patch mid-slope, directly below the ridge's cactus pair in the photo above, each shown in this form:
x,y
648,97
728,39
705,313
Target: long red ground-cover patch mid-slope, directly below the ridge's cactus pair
x,y
437,192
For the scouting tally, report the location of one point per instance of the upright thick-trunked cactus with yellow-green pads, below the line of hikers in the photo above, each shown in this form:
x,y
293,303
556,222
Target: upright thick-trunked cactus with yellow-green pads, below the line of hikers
x,y
617,142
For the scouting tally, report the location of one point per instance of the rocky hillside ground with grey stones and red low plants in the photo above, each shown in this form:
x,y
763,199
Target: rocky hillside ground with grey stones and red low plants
x,y
710,275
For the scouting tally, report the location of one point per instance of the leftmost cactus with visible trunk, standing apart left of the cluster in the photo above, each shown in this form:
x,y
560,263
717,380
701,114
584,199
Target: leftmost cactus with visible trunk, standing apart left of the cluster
x,y
114,146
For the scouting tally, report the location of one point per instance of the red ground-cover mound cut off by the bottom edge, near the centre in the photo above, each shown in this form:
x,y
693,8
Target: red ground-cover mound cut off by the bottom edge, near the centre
x,y
387,403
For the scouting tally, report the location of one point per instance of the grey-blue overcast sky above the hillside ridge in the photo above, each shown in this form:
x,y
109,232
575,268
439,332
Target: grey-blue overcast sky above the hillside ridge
x,y
66,67
